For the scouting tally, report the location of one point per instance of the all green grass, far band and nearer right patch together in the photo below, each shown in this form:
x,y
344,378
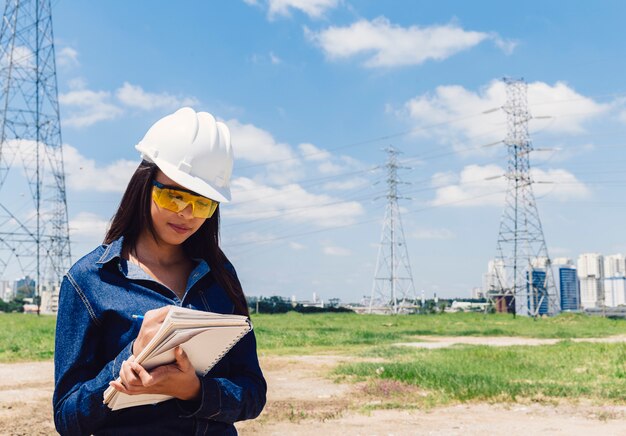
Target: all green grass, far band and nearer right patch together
x,y
407,377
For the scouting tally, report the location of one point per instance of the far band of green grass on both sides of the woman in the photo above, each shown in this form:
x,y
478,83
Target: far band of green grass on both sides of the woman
x,y
29,337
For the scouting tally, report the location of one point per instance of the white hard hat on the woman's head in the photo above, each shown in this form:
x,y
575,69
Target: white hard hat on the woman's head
x,y
192,149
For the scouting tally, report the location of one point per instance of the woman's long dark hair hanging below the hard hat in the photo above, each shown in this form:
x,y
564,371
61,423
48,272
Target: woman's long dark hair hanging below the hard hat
x,y
133,215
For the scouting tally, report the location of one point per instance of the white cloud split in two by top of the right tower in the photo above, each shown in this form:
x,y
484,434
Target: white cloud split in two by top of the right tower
x,y
463,120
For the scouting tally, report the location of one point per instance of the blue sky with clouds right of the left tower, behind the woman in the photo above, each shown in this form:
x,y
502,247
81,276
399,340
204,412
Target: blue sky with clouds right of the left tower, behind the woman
x,y
314,90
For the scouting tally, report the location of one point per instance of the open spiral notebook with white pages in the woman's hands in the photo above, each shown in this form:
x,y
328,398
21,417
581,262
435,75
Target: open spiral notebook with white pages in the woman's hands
x,y
205,336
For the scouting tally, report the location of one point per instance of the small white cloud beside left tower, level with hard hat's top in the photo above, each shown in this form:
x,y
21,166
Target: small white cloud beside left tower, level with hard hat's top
x,y
86,107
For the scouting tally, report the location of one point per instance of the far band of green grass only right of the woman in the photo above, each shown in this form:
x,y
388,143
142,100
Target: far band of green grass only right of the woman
x,y
308,333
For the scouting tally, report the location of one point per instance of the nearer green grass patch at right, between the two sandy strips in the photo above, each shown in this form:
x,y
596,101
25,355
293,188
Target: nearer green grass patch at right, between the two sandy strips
x,y
463,373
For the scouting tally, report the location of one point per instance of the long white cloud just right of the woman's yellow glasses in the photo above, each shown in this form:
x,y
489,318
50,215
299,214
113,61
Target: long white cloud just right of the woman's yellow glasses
x,y
290,203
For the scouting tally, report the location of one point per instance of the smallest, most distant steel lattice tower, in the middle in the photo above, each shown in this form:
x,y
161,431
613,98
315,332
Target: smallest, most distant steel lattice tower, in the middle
x,y
392,290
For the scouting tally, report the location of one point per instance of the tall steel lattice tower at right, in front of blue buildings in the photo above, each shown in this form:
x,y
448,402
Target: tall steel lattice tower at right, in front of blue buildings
x,y
524,280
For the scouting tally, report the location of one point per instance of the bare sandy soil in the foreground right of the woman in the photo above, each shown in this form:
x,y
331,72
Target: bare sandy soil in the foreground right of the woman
x,y
302,401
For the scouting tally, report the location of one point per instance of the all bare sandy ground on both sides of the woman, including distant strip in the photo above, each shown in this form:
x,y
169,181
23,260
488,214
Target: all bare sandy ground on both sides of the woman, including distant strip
x,y
302,401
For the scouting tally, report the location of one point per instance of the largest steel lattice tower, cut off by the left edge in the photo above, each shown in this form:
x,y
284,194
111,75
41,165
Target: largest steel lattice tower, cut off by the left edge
x,y
34,234
